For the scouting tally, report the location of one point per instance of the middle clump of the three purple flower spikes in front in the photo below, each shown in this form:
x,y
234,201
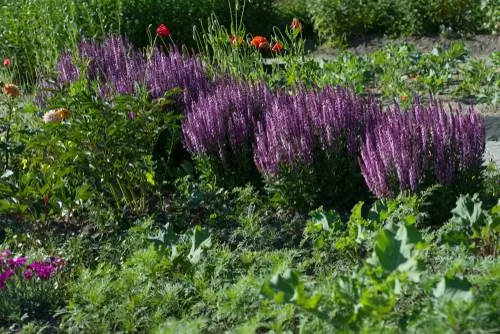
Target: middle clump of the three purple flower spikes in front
x,y
296,127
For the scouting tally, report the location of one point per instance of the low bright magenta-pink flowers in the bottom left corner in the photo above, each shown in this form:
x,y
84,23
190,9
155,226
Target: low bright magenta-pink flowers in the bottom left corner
x,y
42,269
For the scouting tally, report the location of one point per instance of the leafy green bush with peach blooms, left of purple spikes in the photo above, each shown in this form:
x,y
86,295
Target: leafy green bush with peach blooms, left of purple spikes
x,y
101,154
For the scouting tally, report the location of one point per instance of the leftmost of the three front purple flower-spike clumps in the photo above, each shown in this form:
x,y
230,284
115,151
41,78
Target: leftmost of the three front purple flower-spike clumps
x,y
223,119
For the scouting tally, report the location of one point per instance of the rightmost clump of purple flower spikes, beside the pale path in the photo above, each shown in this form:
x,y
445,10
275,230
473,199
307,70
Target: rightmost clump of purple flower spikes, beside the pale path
x,y
424,145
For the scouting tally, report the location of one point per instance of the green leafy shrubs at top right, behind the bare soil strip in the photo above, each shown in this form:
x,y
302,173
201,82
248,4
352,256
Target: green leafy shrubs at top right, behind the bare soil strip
x,y
341,20
